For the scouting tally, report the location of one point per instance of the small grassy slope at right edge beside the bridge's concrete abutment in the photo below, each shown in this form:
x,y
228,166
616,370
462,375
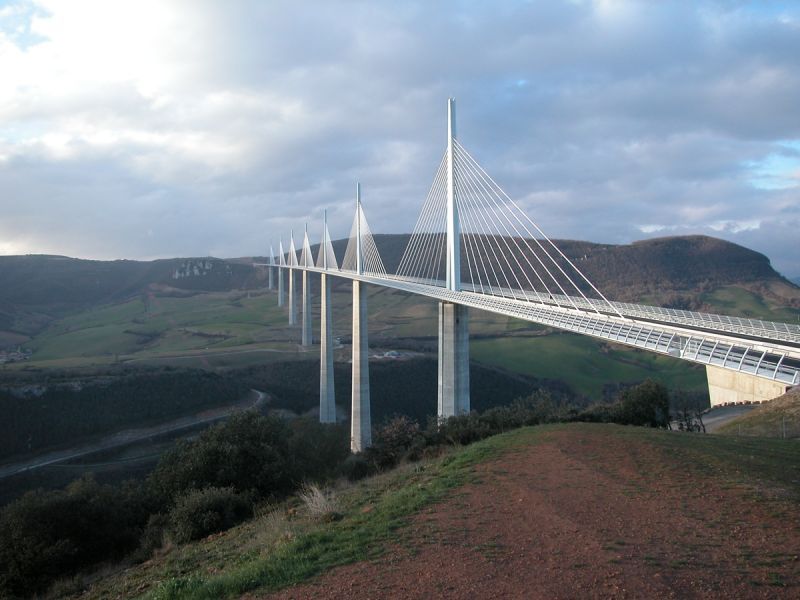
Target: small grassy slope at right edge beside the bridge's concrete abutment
x,y
777,418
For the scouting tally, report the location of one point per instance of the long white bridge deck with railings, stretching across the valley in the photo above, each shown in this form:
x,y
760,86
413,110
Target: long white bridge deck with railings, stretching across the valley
x,y
760,348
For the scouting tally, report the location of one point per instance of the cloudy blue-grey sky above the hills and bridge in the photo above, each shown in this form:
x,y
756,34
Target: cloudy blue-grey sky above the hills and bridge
x,y
158,128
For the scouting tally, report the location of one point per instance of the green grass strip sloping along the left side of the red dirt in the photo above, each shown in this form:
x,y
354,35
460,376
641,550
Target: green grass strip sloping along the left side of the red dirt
x,y
273,551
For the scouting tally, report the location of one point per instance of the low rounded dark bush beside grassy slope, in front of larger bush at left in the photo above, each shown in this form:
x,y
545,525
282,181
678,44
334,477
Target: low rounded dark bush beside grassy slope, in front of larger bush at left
x,y
199,513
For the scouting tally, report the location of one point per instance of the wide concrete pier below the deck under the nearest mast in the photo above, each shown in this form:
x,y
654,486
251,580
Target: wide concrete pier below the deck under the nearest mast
x,y
453,360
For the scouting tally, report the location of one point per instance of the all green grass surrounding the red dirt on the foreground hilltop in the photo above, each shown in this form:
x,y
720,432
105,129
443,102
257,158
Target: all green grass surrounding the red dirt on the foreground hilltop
x,y
285,546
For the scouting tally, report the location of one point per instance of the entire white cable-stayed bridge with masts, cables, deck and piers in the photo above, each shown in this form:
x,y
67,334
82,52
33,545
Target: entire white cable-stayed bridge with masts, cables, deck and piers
x,y
474,248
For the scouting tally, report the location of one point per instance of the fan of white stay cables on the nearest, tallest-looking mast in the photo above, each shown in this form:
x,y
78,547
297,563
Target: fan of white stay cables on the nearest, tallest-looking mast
x,y
503,252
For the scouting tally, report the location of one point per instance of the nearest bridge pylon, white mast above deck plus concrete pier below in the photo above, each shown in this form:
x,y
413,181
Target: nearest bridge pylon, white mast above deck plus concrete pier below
x,y
453,318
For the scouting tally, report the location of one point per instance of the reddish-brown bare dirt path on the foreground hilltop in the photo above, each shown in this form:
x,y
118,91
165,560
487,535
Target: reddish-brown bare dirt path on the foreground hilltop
x,y
583,516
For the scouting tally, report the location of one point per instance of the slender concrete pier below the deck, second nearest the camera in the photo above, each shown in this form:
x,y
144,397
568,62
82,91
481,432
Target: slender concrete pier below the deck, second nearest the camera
x,y
360,422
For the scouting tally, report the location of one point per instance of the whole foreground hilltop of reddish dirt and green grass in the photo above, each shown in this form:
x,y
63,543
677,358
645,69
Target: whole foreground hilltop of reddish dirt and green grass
x,y
557,511
